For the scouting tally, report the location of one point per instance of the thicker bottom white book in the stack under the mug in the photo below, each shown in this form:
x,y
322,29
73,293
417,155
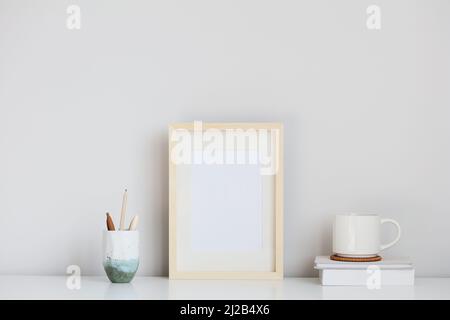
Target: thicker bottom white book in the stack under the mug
x,y
367,277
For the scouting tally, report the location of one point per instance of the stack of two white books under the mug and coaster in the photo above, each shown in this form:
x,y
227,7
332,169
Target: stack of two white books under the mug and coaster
x,y
386,272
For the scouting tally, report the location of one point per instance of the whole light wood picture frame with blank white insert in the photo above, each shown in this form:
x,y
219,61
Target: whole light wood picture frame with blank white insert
x,y
260,255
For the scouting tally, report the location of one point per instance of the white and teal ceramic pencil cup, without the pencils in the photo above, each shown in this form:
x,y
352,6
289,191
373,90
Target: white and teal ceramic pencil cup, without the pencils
x,y
120,255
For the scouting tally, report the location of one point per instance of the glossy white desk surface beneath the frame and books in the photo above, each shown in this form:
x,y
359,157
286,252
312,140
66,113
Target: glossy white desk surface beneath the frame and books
x,y
54,287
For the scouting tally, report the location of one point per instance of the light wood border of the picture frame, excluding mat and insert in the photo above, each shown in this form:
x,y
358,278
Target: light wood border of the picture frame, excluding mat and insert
x,y
279,181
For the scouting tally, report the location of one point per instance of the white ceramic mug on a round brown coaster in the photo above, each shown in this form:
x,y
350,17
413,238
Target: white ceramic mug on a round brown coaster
x,y
358,235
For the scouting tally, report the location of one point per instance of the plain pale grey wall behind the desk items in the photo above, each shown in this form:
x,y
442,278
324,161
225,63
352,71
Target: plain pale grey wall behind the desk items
x,y
83,114
